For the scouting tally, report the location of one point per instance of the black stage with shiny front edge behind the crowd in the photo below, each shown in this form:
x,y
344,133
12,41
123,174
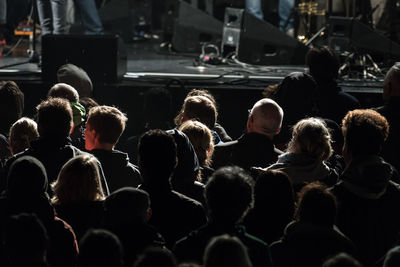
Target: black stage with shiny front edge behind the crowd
x,y
236,85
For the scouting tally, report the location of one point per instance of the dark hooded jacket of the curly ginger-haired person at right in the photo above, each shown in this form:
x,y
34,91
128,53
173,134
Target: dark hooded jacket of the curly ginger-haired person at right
x,y
368,210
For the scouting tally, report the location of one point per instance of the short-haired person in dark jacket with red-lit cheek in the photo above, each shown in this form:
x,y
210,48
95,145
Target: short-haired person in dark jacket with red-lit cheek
x,y
104,126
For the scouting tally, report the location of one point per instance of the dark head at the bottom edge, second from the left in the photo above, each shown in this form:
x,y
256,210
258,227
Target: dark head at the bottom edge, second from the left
x,y
100,248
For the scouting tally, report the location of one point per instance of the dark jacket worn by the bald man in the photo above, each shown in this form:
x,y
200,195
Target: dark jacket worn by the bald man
x,y
250,150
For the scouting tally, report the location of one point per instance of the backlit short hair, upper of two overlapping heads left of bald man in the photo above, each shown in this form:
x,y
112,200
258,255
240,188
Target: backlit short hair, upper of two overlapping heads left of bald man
x,y
200,108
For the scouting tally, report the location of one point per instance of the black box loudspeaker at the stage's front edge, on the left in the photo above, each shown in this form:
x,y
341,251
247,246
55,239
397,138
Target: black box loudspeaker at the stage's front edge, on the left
x,y
103,57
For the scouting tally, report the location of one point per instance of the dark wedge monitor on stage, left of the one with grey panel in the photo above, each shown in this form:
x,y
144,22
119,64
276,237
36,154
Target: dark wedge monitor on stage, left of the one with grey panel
x,y
194,27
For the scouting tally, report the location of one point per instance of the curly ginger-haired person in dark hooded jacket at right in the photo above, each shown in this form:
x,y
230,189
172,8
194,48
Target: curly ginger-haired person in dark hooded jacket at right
x,y
367,197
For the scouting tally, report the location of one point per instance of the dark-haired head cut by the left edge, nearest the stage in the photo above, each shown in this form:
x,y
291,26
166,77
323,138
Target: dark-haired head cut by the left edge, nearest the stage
x,y
11,105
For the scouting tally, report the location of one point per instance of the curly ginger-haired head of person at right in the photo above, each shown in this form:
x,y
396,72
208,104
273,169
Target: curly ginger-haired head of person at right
x,y
364,132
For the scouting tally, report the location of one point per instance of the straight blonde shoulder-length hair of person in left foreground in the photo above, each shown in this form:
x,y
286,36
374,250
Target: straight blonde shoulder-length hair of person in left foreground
x,y
78,180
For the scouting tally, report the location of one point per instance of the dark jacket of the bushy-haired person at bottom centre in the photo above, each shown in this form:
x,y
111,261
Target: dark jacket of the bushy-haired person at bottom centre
x,y
191,248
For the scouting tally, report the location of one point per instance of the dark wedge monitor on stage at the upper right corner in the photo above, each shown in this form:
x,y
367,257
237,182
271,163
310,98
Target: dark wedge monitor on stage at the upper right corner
x,y
347,34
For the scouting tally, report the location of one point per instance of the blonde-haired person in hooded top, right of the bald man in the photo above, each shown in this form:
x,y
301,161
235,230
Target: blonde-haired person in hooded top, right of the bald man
x,y
306,154
